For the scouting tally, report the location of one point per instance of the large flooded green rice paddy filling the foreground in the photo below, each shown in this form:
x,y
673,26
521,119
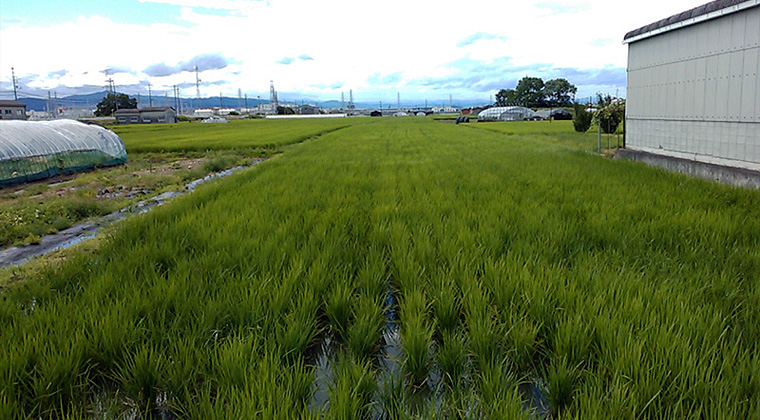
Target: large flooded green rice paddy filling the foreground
x,y
405,269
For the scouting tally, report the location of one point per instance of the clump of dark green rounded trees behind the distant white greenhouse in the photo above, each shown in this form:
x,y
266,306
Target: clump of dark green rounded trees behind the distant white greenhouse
x,y
533,92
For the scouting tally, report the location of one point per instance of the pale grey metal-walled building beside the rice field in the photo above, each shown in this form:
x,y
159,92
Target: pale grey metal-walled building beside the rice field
x,y
694,88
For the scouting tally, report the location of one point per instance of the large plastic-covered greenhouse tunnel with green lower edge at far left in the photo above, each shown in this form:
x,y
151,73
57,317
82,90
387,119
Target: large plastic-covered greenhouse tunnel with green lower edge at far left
x,y
32,150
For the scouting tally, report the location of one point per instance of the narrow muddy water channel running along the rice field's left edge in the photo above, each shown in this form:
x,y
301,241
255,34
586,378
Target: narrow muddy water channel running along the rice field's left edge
x,y
18,255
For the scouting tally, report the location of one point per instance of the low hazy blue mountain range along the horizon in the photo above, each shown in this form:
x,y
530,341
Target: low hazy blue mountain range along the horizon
x,y
90,101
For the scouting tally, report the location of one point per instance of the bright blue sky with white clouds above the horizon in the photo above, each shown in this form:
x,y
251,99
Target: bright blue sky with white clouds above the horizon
x,y
316,49
